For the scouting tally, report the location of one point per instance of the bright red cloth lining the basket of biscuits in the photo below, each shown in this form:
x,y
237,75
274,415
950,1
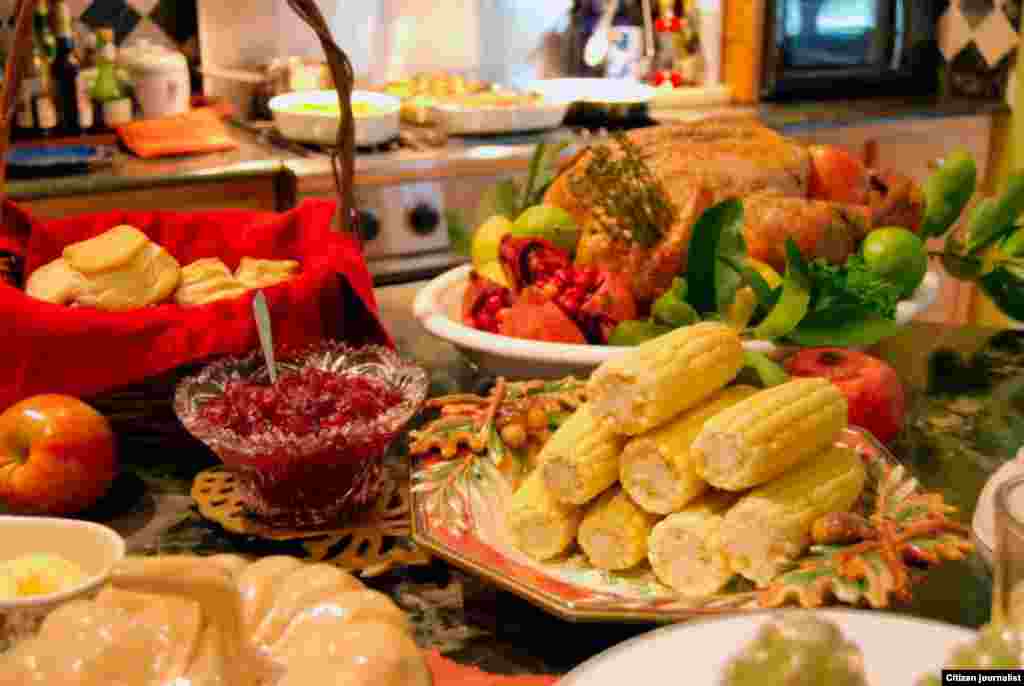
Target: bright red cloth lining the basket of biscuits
x,y
82,352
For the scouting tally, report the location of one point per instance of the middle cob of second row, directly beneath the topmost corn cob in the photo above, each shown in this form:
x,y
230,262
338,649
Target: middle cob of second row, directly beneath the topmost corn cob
x,y
658,470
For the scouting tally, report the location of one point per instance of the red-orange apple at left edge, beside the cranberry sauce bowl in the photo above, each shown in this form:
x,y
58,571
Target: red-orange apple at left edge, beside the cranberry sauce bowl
x,y
57,456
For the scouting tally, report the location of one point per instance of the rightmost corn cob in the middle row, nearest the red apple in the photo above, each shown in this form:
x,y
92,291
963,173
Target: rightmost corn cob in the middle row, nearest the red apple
x,y
762,438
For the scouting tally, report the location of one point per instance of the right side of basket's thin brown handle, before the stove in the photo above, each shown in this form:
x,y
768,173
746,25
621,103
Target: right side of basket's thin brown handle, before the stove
x,y
344,154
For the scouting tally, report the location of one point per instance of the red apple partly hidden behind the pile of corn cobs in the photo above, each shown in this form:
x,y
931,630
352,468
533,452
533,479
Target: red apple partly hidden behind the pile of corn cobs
x,y
873,389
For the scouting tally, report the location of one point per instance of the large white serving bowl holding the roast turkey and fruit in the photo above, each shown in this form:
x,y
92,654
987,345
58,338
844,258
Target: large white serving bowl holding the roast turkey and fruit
x,y
439,306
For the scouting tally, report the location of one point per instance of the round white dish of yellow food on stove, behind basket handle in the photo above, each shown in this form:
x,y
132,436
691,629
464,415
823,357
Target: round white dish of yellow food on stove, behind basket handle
x,y
322,128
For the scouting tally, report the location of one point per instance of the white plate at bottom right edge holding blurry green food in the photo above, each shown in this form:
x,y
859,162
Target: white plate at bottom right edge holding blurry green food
x,y
898,650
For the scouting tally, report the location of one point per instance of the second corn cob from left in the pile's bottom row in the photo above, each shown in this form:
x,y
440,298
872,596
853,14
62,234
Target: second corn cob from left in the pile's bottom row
x,y
614,533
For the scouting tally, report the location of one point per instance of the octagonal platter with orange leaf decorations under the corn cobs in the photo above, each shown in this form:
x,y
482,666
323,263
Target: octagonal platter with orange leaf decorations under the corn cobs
x,y
460,498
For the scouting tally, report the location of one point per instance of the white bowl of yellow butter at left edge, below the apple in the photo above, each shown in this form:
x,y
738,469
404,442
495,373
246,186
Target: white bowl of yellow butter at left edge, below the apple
x,y
95,548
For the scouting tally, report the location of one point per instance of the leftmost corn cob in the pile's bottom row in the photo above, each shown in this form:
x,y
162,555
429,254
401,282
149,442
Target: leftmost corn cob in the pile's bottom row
x,y
541,526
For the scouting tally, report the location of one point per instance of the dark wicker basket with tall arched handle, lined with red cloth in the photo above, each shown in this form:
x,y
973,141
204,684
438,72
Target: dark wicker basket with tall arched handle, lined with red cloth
x,y
144,412
